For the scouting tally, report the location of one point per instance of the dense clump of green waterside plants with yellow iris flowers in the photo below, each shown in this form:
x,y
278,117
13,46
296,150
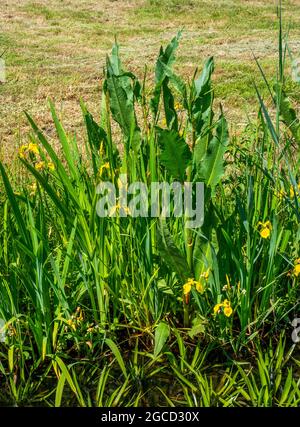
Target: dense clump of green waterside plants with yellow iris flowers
x,y
86,298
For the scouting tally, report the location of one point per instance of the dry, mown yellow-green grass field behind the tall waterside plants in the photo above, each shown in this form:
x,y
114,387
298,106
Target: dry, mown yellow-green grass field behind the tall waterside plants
x,y
56,49
